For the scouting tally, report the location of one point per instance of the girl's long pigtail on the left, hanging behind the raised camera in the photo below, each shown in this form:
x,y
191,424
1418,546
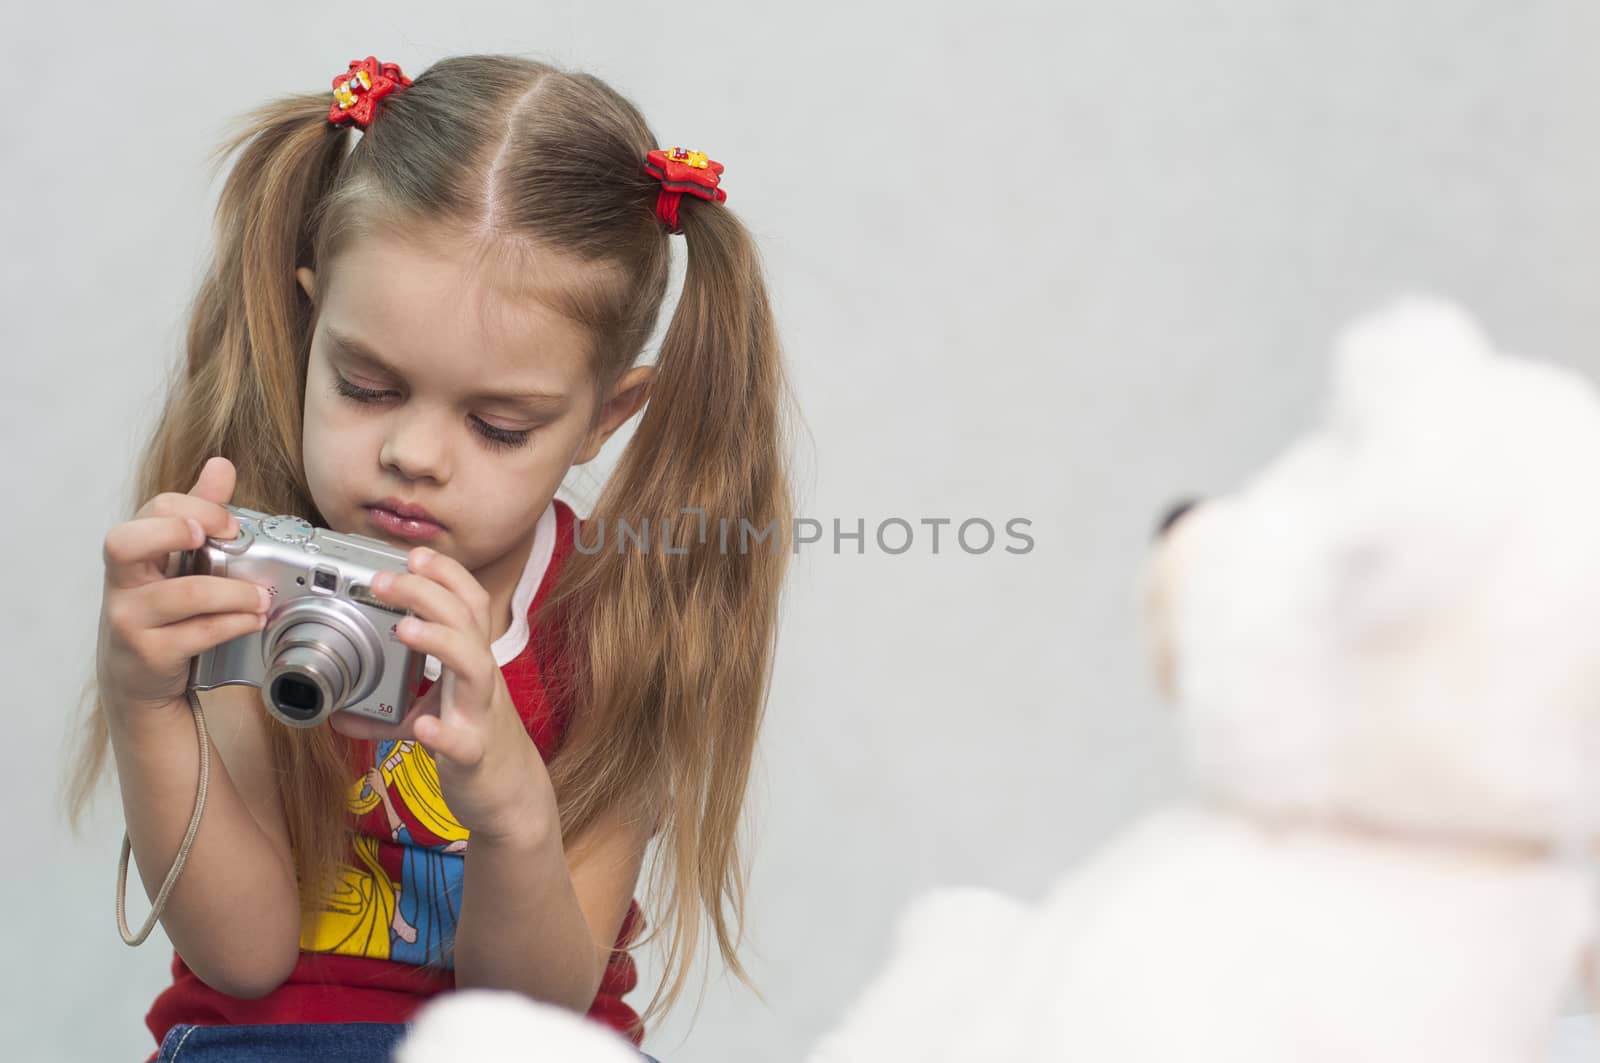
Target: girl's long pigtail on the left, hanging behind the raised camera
x,y
239,395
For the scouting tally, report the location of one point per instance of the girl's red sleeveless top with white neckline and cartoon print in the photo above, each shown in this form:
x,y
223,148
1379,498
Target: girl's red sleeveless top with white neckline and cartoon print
x,y
380,947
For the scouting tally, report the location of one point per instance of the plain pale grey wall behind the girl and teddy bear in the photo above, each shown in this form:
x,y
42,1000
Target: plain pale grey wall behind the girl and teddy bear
x,y
1052,262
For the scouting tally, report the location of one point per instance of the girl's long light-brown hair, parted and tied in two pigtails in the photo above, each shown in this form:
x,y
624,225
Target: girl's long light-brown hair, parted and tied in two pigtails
x,y
673,649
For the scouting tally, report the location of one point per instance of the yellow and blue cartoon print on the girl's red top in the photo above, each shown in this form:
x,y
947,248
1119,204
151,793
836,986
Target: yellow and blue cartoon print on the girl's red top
x,y
396,902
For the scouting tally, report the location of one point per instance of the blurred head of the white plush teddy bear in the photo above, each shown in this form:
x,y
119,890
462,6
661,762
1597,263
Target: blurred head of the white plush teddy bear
x,y
1398,620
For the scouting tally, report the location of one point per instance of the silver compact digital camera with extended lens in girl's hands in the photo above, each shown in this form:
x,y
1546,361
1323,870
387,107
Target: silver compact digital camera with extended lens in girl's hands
x,y
329,643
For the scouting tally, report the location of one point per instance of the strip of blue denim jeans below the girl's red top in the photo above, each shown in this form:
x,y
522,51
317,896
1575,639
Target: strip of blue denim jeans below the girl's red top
x,y
286,1043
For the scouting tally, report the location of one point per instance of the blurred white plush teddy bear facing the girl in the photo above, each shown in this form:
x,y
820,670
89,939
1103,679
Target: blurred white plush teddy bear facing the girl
x,y
1385,654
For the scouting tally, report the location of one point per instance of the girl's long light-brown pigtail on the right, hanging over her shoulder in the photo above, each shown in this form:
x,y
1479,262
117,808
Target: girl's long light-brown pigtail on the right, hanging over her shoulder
x,y
681,644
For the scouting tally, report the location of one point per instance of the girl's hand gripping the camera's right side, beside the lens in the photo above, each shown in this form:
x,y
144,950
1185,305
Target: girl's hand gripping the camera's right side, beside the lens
x,y
492,774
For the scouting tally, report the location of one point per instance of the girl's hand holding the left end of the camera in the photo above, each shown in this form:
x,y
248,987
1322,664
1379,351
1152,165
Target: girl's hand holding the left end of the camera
x,y
153,624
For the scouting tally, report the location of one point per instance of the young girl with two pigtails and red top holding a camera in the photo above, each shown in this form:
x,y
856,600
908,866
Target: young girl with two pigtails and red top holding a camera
x,y
415,337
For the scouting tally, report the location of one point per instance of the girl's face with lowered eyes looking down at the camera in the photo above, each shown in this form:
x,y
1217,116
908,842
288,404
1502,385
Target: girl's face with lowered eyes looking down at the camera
x,y
438,388
